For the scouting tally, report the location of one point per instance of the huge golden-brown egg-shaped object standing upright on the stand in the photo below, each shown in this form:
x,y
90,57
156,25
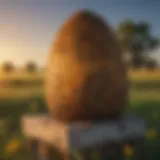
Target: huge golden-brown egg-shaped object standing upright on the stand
x,y
86,78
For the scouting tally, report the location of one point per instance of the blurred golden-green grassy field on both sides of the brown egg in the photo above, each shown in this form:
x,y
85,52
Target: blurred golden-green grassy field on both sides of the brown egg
x,y
26,96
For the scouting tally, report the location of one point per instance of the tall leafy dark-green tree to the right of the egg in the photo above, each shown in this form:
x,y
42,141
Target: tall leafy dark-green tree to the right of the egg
x,y
137,39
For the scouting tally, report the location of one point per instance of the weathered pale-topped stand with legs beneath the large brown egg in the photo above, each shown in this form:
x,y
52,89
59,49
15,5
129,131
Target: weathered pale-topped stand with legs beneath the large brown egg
x,y
52,140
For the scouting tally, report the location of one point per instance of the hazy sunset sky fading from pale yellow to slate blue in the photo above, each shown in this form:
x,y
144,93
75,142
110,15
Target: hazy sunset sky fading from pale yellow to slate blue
x,y
28,27
